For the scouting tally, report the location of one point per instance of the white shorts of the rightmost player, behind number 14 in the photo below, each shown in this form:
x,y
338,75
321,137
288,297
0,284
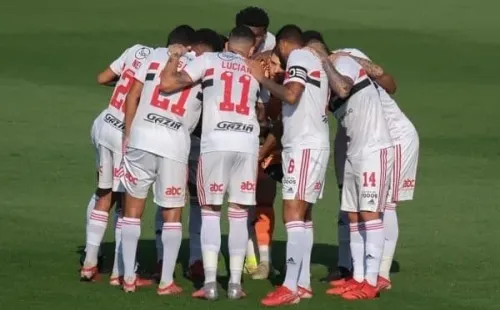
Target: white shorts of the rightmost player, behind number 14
x,y
405,170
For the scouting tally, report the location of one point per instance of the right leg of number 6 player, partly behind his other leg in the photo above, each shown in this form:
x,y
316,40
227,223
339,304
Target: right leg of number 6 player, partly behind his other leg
x,y
304,284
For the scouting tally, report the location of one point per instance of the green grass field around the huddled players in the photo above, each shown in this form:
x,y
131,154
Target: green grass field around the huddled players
x,y
444,54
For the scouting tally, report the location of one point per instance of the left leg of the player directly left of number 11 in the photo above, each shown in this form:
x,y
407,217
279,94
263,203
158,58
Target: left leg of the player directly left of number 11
x,y
131,232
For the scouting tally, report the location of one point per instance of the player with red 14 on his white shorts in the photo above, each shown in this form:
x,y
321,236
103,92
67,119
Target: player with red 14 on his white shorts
x,y
367,172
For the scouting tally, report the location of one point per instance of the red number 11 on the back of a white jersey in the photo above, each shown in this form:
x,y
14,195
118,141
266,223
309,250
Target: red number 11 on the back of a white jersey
x,y
226,104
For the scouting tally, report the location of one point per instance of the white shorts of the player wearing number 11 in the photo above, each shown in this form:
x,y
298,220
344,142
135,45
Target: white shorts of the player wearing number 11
x,y
231,172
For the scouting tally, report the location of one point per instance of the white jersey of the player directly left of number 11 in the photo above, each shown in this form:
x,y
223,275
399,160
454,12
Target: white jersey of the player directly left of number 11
x,y
163,123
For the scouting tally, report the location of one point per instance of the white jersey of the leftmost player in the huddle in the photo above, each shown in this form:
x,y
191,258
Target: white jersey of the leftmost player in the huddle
x,y
132,59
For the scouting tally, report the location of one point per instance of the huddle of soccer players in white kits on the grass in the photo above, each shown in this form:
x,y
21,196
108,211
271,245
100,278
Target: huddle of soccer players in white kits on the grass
x,y
207,116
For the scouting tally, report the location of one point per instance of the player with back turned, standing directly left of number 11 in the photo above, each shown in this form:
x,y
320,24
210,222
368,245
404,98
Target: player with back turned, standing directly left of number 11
x,y
154,123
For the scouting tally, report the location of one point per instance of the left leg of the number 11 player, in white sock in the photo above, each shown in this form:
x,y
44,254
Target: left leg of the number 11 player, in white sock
x,y
210,248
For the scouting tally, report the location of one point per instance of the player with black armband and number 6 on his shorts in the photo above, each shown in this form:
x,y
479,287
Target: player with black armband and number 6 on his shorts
x,y
306,149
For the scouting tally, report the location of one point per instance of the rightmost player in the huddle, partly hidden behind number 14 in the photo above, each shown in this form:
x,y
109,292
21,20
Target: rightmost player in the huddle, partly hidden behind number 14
x,y
406,147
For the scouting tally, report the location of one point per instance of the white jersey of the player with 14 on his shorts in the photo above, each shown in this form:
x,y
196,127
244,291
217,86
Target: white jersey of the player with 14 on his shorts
x,y
361,114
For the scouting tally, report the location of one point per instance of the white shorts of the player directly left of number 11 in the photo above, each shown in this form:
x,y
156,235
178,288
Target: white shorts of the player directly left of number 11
x,y
169,176
